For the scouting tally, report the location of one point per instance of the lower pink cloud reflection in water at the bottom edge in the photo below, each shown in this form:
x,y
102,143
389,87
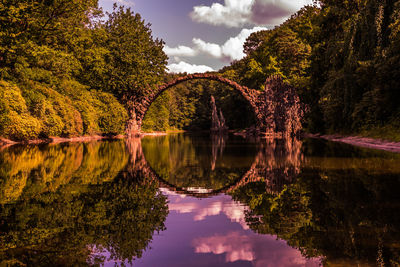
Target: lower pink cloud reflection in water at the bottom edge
x,y
261,250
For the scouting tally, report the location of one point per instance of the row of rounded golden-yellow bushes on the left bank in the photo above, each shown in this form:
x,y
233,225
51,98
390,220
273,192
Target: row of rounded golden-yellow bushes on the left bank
x,y
32,110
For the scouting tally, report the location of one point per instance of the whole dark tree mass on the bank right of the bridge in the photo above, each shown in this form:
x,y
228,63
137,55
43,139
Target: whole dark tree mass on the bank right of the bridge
x,y
342,56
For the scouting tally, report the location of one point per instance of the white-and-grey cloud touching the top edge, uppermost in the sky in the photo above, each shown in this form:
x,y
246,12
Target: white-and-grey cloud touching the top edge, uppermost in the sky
x,y
236,13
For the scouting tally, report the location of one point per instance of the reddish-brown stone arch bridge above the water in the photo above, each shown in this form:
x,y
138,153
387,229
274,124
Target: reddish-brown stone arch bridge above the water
x,y
277,109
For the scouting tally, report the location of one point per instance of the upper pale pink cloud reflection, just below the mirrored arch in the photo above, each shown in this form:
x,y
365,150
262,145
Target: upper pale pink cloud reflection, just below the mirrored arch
x,y
204,208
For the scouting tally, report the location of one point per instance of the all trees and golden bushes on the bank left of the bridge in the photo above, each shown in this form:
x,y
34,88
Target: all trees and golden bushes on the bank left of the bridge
x,y
59,62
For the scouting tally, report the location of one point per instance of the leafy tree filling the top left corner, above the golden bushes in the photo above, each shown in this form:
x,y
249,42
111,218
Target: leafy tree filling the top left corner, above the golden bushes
x,y
31,30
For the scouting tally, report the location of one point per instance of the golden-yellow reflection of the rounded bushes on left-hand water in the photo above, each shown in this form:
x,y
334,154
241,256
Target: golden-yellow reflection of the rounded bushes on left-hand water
x,y
31,170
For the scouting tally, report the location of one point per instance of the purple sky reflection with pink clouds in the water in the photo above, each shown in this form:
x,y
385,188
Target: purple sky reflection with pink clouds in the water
x,y
213,232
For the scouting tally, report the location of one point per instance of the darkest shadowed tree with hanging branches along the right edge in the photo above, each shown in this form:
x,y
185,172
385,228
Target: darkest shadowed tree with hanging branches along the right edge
x,y
355,72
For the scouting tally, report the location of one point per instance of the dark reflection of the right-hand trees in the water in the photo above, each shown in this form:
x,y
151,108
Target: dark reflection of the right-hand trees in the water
x,y
348,214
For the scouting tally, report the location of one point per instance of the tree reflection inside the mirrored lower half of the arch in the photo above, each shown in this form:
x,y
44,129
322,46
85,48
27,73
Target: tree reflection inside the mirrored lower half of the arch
x,y
185,162
